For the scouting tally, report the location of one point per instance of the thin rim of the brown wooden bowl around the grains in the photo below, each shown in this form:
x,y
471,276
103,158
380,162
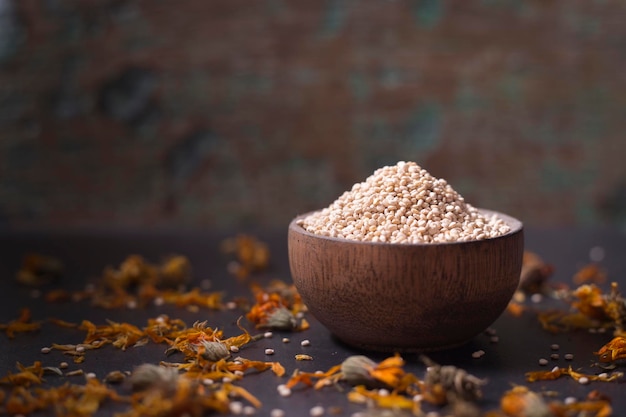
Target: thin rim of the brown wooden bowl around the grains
x,y
515,224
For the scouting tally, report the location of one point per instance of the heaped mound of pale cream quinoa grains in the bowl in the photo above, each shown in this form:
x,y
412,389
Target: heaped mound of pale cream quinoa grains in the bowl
x,y
403,203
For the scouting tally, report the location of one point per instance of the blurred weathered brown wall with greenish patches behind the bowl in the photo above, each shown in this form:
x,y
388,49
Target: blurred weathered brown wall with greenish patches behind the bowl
x,y
232,113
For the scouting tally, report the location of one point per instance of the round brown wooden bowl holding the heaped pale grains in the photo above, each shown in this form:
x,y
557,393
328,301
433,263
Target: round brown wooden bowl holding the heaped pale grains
x,y
406,297
